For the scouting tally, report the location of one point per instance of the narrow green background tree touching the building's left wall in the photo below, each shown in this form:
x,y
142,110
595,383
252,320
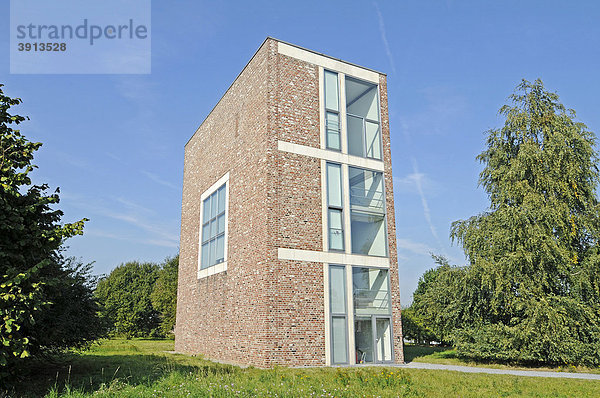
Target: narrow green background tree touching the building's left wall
x,y
164,294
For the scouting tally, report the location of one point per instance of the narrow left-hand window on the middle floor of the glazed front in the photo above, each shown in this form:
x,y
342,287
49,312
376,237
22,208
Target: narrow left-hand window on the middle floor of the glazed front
x,y
335,209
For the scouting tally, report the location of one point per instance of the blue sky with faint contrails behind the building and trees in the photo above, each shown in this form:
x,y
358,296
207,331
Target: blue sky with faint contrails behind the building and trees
x,y
114,143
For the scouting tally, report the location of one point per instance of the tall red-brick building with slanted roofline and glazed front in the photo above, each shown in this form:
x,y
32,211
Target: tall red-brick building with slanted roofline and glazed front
x,y
288,240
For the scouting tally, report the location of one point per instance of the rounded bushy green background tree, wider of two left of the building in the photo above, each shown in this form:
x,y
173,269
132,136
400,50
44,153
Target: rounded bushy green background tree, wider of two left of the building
x,y
125,297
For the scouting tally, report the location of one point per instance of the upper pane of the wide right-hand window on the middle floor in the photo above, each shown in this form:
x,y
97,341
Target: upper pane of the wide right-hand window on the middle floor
x,y
366,190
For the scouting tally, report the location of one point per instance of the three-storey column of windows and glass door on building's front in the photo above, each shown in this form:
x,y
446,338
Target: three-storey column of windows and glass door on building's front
x,y
356,223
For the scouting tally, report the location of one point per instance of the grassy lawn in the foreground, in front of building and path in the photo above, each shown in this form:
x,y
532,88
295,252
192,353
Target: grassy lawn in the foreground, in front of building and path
x,y
142,368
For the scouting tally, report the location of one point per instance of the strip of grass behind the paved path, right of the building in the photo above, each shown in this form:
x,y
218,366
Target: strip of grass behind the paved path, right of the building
x,y
449,356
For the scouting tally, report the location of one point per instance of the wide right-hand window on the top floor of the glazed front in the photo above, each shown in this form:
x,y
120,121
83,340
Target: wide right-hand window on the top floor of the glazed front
x,y
362,110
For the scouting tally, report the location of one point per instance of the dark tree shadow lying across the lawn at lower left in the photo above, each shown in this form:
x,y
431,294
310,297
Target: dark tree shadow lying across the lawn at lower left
x,y
88,373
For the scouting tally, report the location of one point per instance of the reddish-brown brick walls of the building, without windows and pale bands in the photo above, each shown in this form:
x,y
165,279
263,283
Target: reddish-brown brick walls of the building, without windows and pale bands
x,y
262,310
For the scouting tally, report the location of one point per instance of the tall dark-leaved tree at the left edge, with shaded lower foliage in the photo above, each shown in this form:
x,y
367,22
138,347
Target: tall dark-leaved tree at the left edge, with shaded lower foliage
x,y
32,276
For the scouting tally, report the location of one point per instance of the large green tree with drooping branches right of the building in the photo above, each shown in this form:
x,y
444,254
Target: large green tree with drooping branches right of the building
x,y
534,255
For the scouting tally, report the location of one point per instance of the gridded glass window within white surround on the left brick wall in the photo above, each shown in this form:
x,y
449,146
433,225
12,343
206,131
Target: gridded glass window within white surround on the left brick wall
x,y
213,228
